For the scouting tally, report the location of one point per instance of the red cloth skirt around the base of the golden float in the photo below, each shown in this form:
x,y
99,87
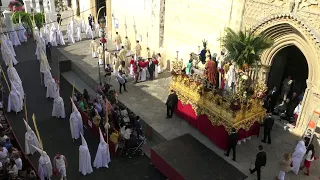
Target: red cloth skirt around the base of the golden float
x,y
217,134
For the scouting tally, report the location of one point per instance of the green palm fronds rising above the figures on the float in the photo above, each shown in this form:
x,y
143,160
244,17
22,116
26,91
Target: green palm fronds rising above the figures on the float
x,y
245,47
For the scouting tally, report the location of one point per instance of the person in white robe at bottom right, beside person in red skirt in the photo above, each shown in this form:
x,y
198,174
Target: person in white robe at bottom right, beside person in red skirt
x,y
298,155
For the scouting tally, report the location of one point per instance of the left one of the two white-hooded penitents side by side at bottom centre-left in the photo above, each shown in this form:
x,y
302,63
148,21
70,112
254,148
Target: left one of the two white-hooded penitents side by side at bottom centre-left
x,y
84,158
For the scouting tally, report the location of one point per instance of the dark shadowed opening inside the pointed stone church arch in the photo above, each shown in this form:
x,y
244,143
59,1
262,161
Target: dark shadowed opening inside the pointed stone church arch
x,y
289,61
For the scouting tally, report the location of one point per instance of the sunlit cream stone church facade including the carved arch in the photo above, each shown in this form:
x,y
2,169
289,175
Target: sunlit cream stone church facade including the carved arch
x,y
176,28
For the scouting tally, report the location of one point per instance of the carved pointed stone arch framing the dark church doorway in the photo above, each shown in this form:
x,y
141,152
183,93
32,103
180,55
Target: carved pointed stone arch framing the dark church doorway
x,y
287,30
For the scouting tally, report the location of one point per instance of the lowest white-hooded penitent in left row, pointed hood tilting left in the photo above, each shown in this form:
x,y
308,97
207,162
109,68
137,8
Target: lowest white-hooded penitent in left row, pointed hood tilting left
x,y
45,166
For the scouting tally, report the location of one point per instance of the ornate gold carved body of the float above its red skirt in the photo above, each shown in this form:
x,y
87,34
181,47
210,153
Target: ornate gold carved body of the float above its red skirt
x,y
221,111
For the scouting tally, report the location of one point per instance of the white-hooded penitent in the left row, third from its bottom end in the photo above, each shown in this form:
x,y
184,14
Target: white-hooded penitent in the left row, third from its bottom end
x,y
15,102
